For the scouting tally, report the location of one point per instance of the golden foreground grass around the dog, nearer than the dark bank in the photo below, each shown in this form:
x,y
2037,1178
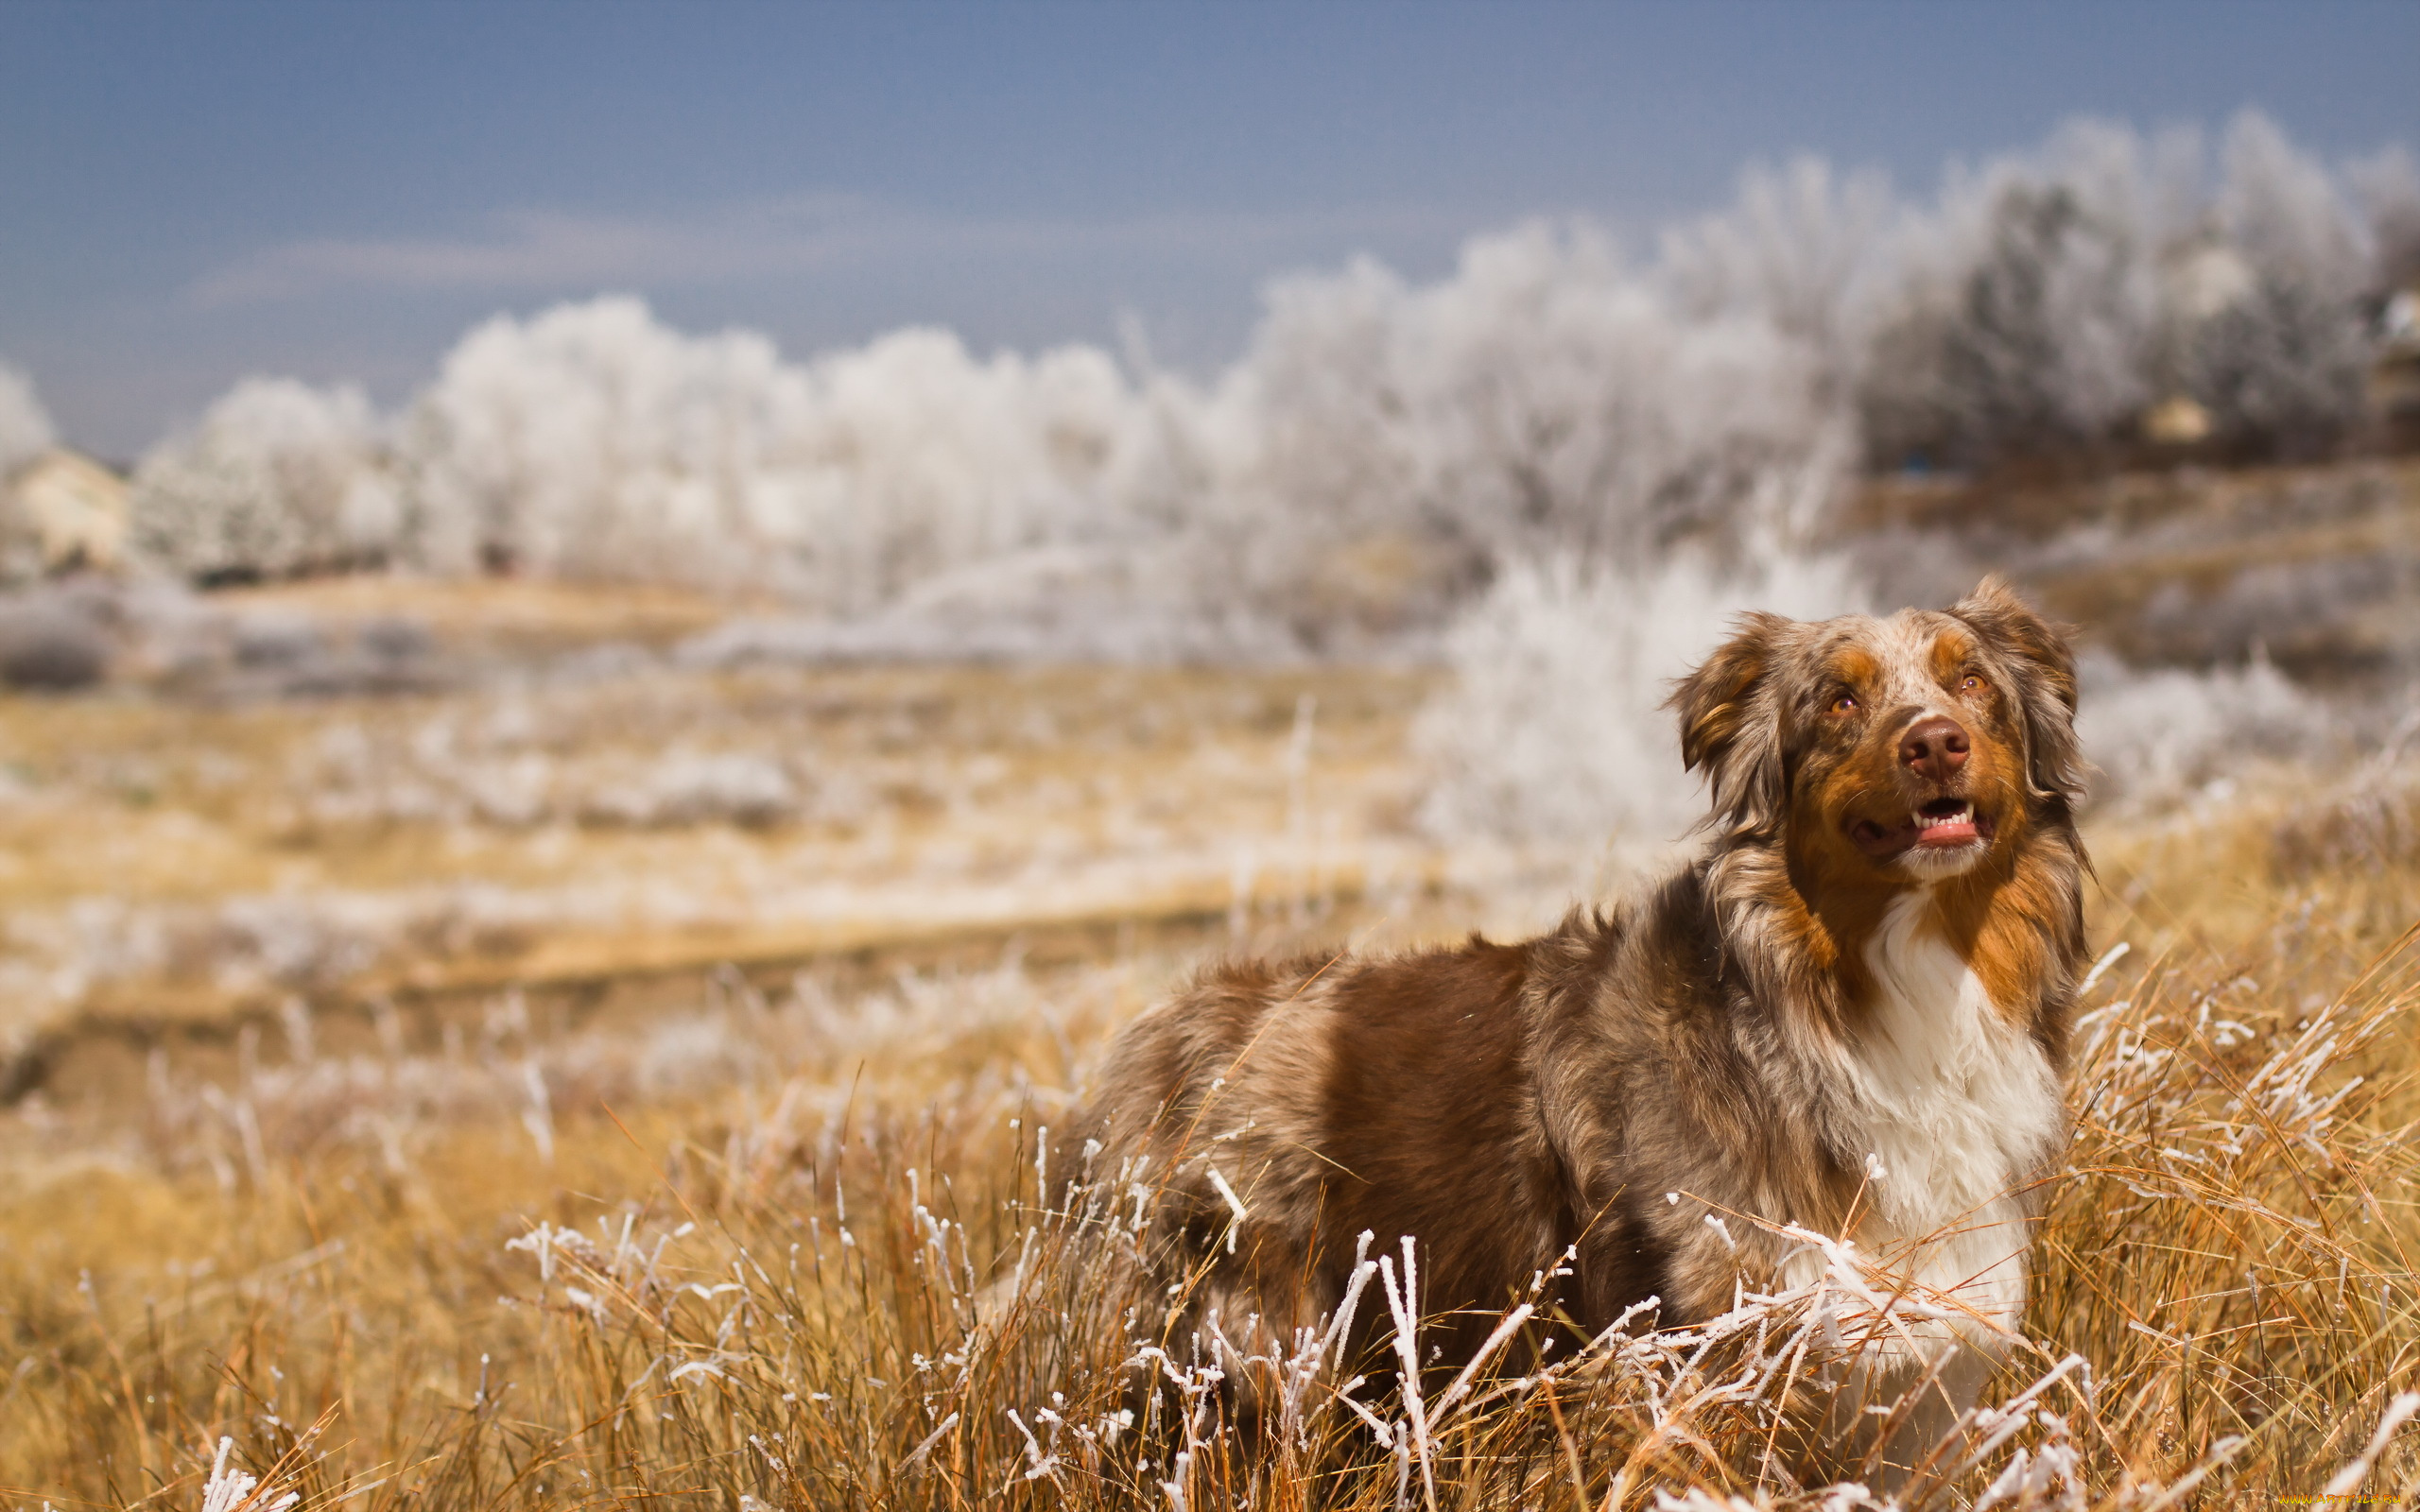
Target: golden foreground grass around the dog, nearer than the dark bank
x,y
734,1254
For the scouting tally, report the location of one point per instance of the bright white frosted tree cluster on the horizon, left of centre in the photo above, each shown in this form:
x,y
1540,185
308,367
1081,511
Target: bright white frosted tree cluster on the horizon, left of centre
x,y
599,444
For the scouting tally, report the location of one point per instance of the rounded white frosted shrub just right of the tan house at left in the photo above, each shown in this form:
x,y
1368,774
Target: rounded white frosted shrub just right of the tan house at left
x,y
277,480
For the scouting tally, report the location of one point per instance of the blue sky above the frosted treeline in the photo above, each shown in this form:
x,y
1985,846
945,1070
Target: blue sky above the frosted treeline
x,y
192,192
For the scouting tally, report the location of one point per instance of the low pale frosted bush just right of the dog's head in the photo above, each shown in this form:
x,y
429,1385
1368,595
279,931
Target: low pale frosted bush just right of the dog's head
x,y
2167,734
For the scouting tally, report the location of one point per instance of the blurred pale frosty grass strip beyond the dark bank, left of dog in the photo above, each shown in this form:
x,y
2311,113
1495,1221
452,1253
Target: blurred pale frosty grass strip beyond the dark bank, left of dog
x,y
587,807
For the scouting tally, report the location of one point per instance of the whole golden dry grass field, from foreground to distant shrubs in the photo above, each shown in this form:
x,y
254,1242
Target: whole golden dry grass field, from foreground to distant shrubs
x,y
408,1102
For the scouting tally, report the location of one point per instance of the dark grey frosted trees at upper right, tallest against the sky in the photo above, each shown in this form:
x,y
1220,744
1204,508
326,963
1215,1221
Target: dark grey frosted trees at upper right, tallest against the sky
x,y
2049,301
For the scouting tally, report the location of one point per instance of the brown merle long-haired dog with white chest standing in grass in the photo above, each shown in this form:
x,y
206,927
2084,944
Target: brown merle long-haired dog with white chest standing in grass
x,y
1845,1012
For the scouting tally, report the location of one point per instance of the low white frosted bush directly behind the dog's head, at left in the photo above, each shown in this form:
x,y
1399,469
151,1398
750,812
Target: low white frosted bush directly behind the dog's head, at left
x,y
1555,727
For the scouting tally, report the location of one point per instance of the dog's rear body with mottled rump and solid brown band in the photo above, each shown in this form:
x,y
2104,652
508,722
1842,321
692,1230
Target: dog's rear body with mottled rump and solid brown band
x,y
1281,1112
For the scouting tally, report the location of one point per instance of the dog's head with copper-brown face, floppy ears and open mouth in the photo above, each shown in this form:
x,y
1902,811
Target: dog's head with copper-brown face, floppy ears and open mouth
x,y
1898,749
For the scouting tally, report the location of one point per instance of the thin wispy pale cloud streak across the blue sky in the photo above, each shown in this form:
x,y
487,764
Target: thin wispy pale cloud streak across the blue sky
x,y
551,250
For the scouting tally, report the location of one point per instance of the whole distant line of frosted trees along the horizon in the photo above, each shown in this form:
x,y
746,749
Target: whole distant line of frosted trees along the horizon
x,y
1381,449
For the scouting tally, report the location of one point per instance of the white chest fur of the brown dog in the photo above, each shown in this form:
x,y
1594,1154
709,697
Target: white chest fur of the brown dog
x,y
1957,1109
